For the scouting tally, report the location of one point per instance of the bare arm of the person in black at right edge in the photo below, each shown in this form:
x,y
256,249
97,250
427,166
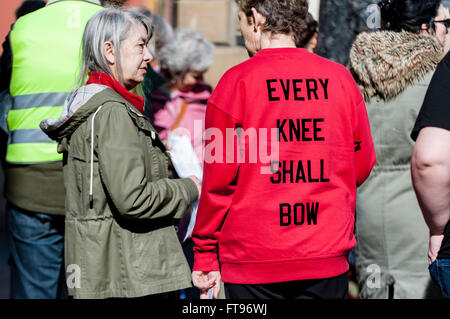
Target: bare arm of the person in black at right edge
x,y
430,170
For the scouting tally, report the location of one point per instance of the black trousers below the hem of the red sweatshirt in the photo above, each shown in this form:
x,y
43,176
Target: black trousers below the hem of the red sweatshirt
x,y
330,288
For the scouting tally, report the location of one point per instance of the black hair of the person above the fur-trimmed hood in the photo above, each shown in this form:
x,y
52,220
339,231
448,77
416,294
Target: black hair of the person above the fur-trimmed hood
x,y
407,15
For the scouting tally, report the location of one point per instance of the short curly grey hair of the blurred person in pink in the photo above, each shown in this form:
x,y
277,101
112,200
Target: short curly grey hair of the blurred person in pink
x,y
189,51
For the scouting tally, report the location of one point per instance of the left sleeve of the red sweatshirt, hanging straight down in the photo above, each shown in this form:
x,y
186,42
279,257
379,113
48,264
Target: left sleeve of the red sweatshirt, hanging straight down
x,y
219,180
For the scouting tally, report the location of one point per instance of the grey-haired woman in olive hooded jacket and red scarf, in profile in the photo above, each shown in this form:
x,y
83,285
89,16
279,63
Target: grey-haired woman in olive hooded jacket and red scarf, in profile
x,y
120,205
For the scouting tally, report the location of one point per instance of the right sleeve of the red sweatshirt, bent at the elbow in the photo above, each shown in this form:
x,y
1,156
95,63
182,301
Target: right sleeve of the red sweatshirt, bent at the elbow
x,y
365,157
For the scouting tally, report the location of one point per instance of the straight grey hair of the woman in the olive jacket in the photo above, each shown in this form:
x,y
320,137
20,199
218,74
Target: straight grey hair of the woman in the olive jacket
x,y
108,25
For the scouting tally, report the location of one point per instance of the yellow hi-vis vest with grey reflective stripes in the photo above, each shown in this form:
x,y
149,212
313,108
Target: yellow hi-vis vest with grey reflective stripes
x,y
46,49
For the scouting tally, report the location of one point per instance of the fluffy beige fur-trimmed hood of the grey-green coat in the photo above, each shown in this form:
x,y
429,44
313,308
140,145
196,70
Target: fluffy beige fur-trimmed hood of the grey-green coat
x,y
384,63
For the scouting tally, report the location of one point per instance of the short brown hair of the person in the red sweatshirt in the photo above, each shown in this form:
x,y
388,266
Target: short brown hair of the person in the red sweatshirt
x,y
282,16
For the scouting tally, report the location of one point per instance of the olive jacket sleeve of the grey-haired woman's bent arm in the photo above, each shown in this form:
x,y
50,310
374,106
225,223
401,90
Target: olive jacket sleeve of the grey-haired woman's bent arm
x,y
122,168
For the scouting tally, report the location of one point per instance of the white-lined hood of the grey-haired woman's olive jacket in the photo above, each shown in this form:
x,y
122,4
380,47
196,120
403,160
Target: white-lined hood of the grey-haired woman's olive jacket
x,y
75,111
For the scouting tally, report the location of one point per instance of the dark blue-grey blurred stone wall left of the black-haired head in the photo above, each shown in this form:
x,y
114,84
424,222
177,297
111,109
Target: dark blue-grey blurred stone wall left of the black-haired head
x,y
340,22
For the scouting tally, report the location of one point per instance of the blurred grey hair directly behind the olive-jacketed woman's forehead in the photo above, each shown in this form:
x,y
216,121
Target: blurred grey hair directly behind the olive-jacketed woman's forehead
x,y
163,31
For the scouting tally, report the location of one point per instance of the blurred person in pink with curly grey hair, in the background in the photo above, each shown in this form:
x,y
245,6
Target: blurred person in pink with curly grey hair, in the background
x,y
183,62
